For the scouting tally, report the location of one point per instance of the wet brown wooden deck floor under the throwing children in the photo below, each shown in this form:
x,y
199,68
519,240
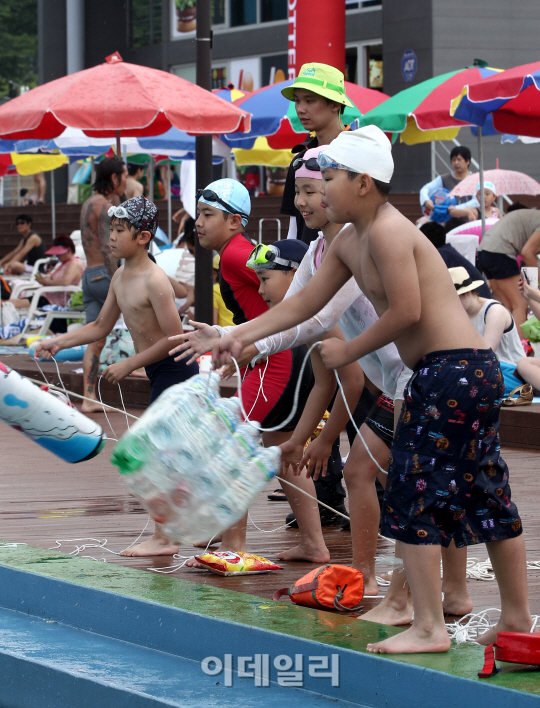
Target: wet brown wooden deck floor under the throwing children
x,y
43,499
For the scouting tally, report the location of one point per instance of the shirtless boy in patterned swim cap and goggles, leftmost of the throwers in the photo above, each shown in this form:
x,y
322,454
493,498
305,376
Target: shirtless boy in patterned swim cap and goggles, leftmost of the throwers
x,y
140,290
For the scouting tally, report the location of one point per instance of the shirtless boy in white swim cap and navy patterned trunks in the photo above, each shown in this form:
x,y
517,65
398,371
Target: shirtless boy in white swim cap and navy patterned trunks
x,y
435,461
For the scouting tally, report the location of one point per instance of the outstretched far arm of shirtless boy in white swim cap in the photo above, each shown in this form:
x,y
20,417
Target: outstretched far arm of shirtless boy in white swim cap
x,y
331,276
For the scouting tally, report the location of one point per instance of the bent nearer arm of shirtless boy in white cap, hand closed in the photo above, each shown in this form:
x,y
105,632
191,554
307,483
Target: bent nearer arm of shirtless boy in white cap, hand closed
x,y
395,263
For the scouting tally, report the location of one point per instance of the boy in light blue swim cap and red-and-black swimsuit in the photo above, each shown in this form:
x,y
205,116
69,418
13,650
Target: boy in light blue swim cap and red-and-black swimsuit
x,y
223,210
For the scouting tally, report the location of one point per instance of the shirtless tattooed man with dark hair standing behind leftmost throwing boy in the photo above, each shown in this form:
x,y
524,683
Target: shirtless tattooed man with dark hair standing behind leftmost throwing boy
x,y
111,179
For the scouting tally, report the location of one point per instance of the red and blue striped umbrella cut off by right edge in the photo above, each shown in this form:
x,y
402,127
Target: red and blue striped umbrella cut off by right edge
x,y
512,98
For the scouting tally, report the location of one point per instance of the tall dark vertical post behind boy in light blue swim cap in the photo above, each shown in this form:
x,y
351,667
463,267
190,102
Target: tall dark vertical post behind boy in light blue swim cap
x,y
204,308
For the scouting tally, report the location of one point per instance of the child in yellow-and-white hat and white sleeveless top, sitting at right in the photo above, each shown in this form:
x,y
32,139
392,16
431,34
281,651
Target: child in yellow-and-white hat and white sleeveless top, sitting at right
x,y
493,321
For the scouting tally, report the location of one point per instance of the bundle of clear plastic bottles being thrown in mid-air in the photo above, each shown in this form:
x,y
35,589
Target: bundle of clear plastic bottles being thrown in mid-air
x,y
192,462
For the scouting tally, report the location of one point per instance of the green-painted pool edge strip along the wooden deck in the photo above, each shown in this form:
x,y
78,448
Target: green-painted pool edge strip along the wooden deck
x,y
463,660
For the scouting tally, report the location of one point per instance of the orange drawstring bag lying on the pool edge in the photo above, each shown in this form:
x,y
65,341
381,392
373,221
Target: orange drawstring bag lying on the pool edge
x,y
336,587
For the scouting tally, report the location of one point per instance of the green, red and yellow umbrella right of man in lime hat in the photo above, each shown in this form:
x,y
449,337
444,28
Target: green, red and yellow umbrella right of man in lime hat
x,y
421,113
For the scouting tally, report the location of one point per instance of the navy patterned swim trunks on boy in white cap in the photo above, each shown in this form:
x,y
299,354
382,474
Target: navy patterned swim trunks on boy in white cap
x,y
447,478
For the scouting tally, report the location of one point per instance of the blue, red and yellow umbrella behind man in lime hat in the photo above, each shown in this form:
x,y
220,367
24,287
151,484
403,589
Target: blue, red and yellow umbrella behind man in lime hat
x,y
274,116
